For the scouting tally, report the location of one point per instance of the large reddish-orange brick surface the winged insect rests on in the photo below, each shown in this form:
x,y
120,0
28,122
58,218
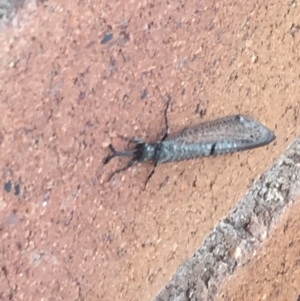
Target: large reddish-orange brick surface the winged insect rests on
x,y
76,74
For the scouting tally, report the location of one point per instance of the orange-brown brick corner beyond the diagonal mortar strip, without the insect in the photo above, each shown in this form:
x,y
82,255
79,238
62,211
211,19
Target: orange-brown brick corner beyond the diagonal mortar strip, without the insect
x,y
275,269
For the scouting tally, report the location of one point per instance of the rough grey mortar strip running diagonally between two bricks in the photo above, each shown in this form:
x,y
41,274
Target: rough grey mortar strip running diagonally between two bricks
x,y
234,240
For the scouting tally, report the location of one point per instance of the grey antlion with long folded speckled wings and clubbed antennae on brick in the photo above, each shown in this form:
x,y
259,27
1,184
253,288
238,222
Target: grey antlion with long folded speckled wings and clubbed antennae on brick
x,y
221,136
